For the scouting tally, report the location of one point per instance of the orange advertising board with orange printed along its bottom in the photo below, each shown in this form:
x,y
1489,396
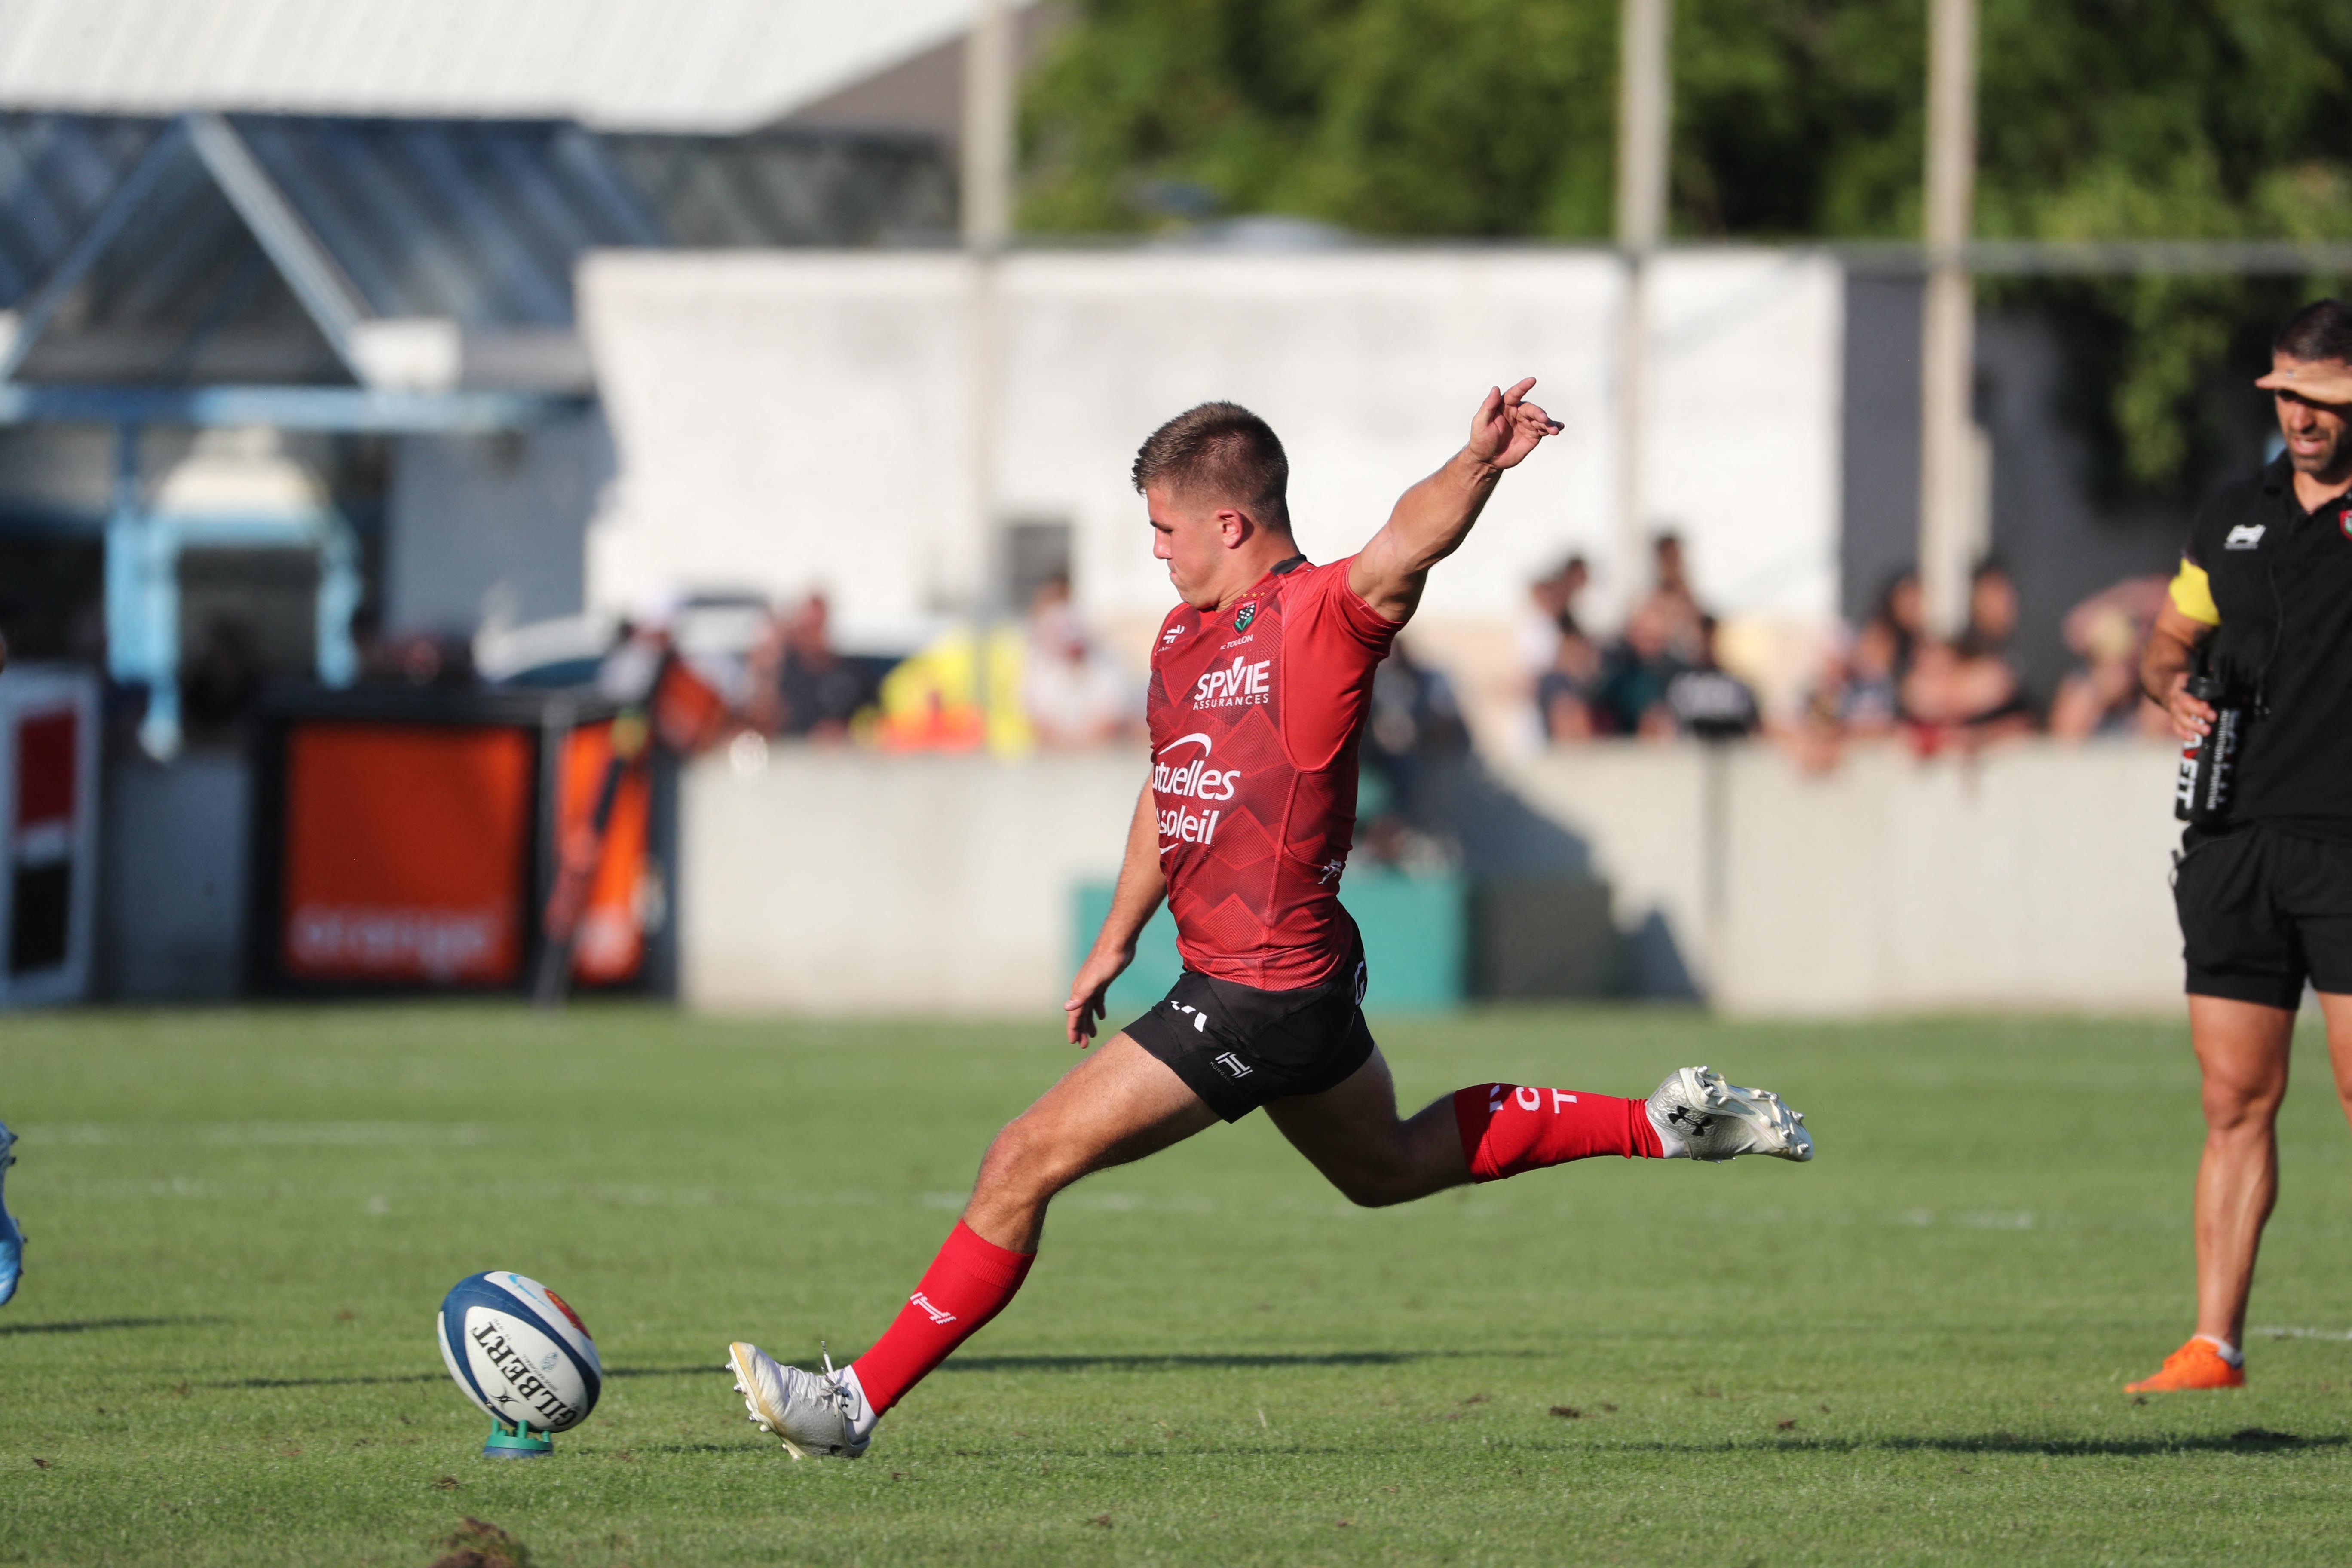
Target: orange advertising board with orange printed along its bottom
x,y
406,852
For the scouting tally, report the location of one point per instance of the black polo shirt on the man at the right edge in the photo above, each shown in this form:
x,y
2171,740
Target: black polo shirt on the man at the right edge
x,y
2280,579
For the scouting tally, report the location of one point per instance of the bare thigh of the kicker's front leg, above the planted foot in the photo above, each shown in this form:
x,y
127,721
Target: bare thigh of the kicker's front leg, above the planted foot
x,y
1118,1104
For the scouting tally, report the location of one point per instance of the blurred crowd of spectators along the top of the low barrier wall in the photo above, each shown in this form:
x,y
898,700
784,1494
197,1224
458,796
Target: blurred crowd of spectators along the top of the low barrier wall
x,y
1045,681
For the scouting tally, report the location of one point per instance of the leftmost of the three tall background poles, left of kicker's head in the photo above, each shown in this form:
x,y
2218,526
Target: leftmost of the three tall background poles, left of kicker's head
x,y
987,217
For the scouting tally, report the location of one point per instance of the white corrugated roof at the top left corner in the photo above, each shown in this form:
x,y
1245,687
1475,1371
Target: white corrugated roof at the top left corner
x,y
704,65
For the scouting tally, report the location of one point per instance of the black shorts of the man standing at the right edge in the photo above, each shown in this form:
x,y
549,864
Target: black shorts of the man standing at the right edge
x,y
2261,913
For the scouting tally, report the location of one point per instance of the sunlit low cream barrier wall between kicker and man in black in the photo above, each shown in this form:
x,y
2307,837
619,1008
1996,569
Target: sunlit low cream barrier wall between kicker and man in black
x,y
2031,878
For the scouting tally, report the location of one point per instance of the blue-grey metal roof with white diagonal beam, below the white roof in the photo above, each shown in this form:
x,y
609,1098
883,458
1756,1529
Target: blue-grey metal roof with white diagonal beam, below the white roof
x,y
269,248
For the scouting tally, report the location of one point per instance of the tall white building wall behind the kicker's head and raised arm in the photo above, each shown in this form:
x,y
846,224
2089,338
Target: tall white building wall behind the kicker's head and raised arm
x,y
801,420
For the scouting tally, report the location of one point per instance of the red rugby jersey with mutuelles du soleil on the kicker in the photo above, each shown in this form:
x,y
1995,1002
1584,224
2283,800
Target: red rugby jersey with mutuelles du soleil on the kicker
x,y
1255,716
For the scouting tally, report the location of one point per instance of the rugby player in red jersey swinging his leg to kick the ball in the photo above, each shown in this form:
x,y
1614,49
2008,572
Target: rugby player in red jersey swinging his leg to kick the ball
x,y
1262,681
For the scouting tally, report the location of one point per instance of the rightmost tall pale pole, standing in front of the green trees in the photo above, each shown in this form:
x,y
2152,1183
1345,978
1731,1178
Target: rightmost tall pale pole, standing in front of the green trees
x,y
1953,504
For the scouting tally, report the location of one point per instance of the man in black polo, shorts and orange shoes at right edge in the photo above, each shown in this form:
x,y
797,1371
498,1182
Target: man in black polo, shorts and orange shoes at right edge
x,y
2261,617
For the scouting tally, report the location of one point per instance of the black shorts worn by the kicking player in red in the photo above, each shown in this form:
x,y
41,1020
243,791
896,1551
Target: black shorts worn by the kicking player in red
x,y
1238,1047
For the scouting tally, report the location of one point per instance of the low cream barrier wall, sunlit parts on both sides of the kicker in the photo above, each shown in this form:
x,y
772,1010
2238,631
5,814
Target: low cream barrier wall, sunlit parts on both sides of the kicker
x,y
2033,878
